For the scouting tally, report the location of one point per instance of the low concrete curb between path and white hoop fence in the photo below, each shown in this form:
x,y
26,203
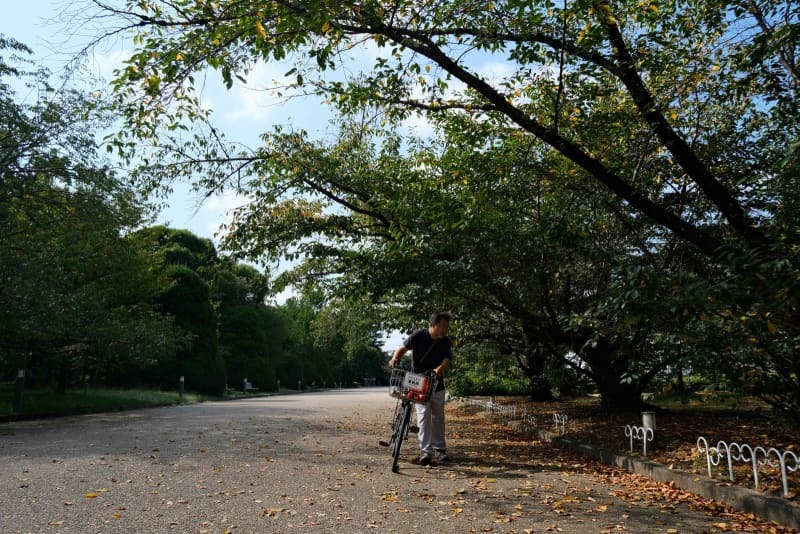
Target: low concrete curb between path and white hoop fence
x,y
743,499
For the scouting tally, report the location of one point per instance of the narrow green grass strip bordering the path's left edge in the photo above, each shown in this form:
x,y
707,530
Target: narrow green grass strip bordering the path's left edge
x,y
48,403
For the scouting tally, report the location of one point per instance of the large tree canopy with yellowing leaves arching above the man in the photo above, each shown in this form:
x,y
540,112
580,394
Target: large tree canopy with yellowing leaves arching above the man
x,y
617,196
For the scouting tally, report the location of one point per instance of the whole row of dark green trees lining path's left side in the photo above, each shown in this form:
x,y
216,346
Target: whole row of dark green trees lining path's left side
x,y
89,296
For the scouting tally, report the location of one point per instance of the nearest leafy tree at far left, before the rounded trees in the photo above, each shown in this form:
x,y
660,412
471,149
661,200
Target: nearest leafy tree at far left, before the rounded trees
x,y
74,294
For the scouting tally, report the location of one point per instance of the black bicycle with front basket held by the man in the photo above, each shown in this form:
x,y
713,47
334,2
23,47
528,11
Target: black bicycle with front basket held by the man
x,y
408,388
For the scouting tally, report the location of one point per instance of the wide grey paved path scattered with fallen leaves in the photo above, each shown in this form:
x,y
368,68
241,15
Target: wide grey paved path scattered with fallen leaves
x,y
289,464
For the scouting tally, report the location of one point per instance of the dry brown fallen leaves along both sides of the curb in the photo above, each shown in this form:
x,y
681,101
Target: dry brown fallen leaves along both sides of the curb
x,y
500,443
